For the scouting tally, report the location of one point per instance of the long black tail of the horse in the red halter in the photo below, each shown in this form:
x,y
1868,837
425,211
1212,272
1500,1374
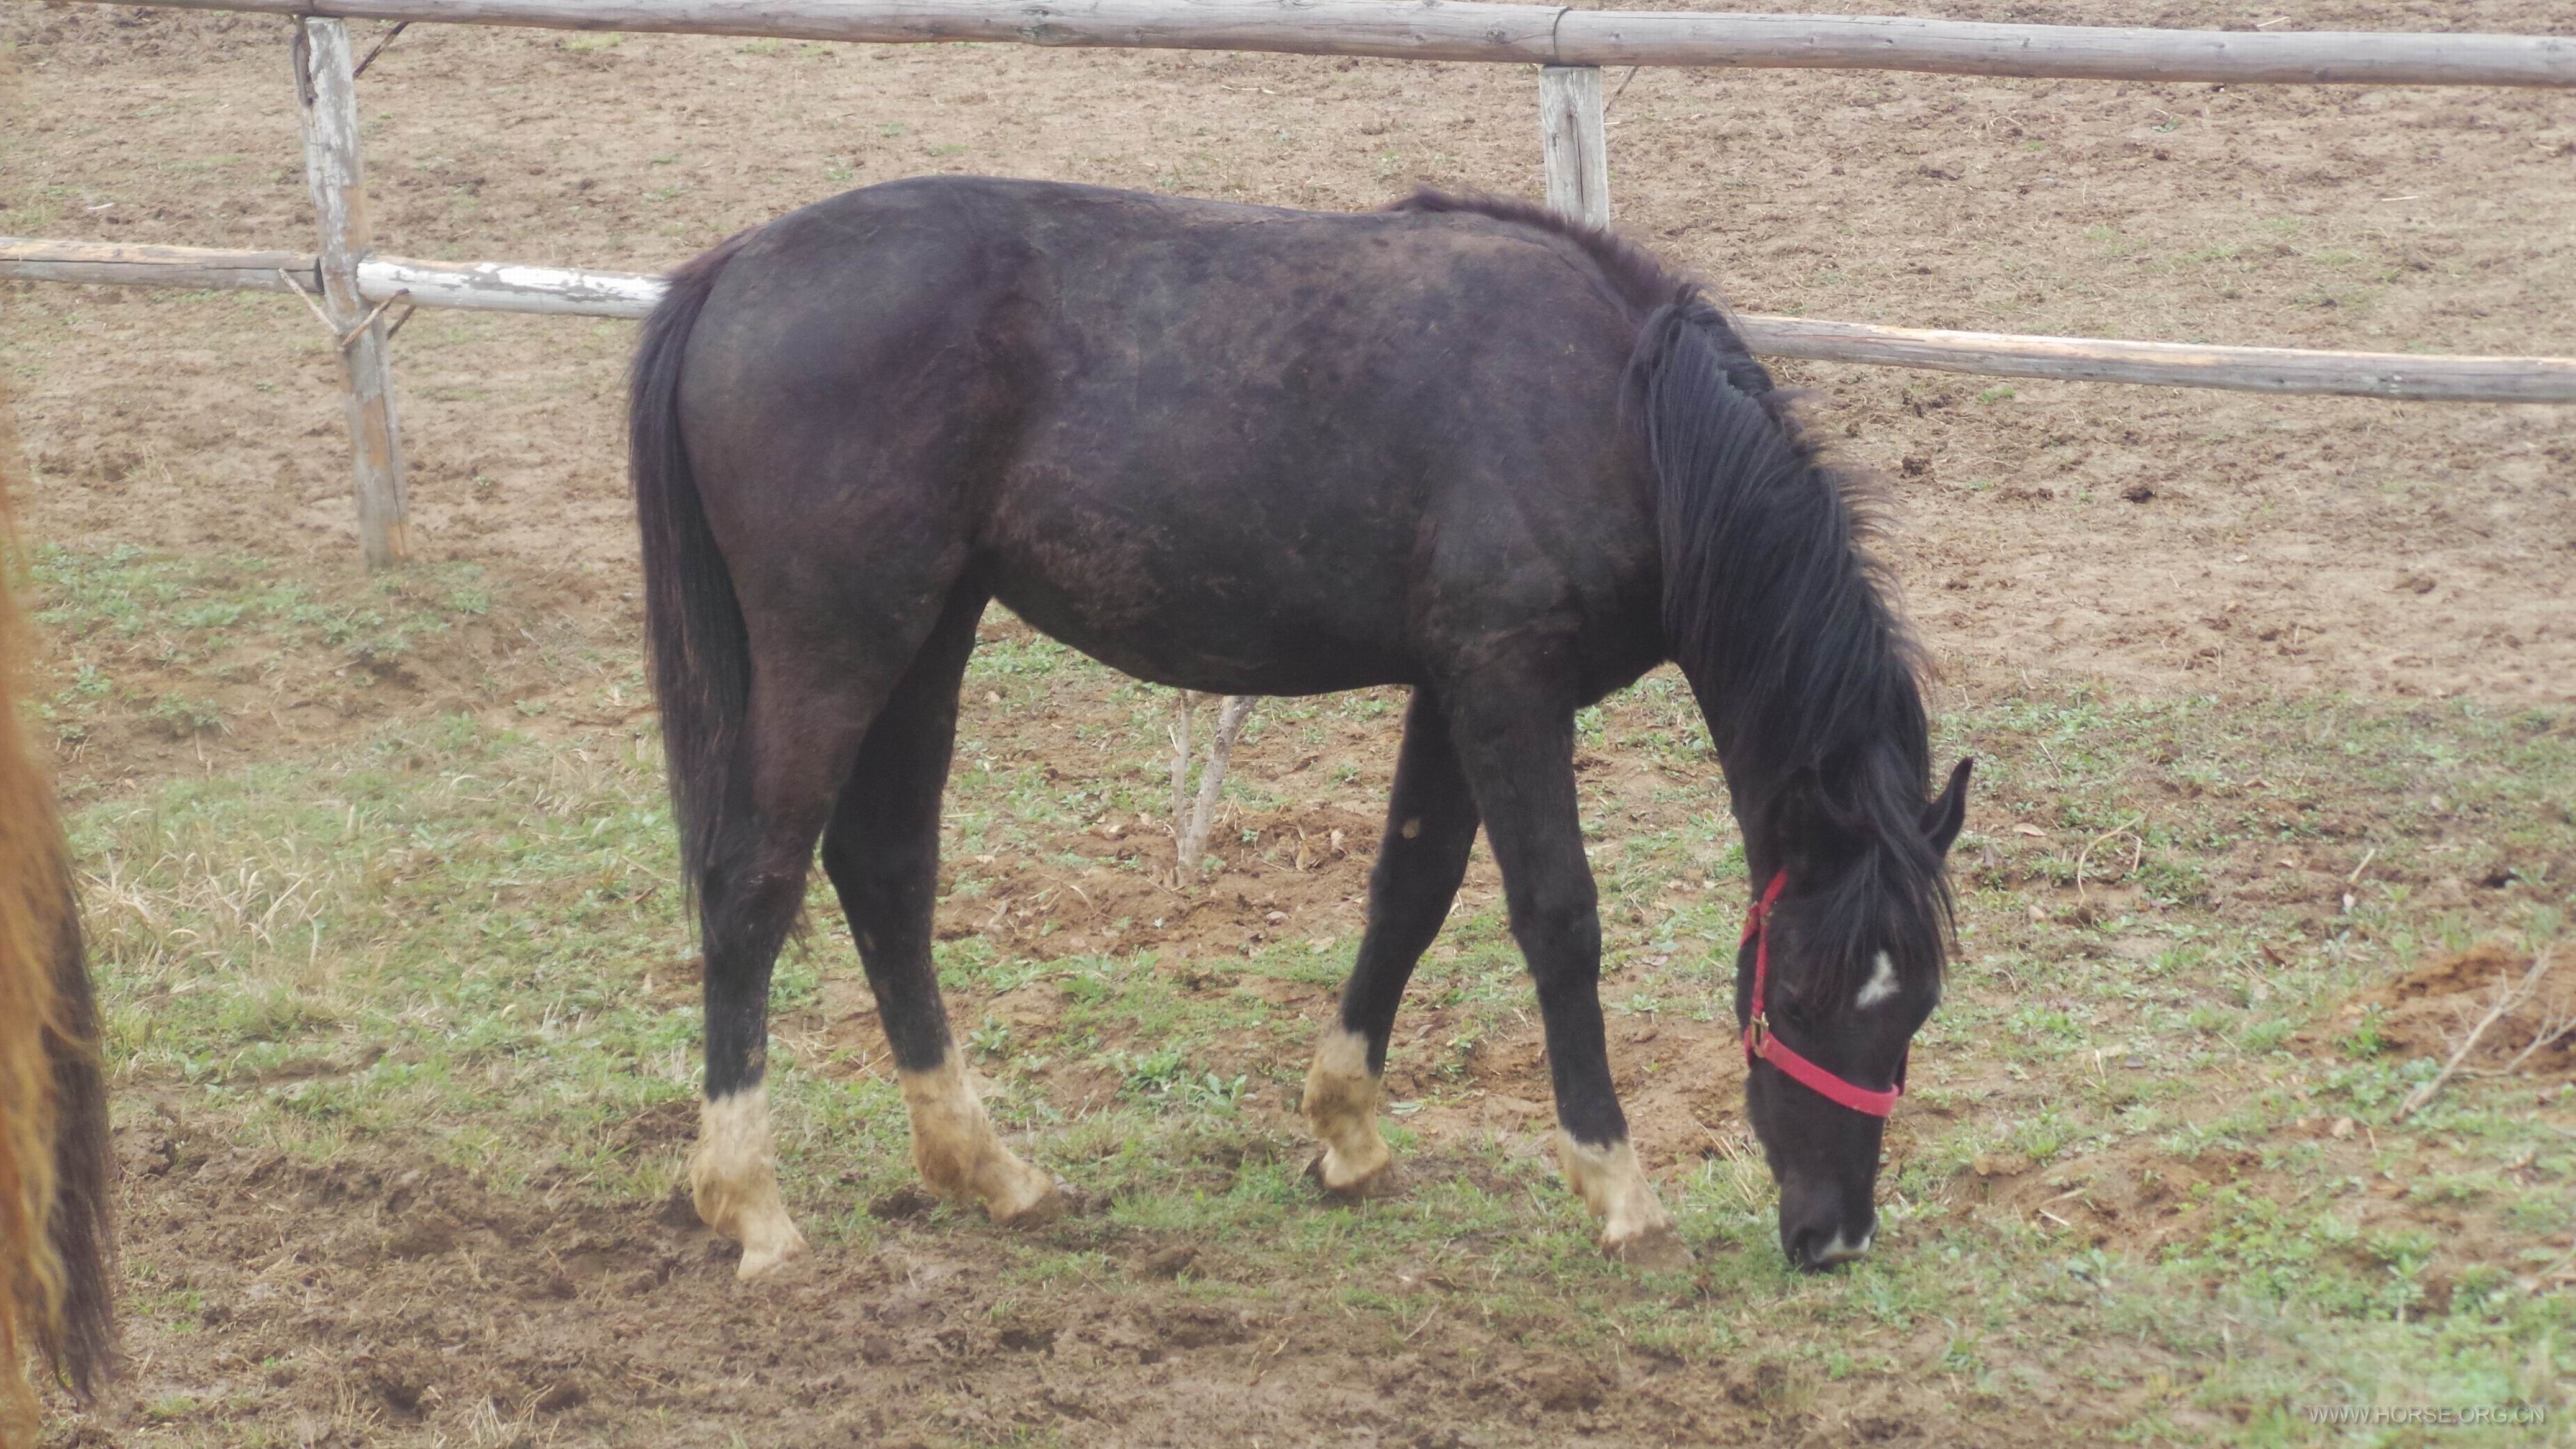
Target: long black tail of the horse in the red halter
x,y
702,655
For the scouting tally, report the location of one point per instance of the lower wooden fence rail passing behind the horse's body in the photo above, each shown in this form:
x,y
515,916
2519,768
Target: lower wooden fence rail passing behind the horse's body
x,y
501,287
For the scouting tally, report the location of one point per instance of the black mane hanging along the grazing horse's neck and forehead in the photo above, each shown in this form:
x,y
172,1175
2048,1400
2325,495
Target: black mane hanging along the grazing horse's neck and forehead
x,y
1817,714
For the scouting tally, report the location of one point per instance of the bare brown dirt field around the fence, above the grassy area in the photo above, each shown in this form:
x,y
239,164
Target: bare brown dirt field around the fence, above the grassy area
x,y
2299,544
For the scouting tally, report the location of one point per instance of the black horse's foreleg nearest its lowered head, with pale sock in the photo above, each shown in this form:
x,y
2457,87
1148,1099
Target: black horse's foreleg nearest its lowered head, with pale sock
x,y
1519,755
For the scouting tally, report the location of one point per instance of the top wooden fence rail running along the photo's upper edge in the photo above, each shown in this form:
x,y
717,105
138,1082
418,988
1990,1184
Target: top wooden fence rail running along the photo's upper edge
x,y
1539,35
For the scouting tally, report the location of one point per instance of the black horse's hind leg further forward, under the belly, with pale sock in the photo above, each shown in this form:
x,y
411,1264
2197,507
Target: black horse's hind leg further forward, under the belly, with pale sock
x,y
882,856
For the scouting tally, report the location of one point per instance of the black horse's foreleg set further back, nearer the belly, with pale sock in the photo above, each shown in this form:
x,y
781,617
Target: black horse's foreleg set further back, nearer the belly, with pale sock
x,y
1431,822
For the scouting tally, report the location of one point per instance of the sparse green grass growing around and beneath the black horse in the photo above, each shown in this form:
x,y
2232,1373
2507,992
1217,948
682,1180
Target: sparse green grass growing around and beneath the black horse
x,y
465,943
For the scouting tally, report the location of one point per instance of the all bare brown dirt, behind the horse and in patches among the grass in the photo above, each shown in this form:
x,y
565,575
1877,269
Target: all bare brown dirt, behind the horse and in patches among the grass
x,y
2155,542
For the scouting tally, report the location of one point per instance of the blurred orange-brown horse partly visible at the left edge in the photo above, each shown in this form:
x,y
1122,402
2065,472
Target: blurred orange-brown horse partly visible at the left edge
x,y
55,1237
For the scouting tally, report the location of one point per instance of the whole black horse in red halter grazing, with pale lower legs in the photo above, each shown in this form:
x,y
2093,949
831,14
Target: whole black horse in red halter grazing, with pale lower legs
x,y
1459,447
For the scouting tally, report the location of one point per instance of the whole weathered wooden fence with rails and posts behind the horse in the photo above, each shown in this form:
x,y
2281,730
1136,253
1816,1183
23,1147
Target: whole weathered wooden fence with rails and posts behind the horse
x,y
352,287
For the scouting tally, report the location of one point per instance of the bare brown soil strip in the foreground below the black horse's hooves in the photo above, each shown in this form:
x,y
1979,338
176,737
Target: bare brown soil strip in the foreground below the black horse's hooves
x,y
372,1298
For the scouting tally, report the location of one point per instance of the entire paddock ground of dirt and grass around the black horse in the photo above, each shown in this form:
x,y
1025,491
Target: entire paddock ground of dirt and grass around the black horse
x,y
2278,699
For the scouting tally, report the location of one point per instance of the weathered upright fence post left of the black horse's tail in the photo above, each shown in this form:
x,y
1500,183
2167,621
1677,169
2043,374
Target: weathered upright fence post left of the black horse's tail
x,y
328,107
